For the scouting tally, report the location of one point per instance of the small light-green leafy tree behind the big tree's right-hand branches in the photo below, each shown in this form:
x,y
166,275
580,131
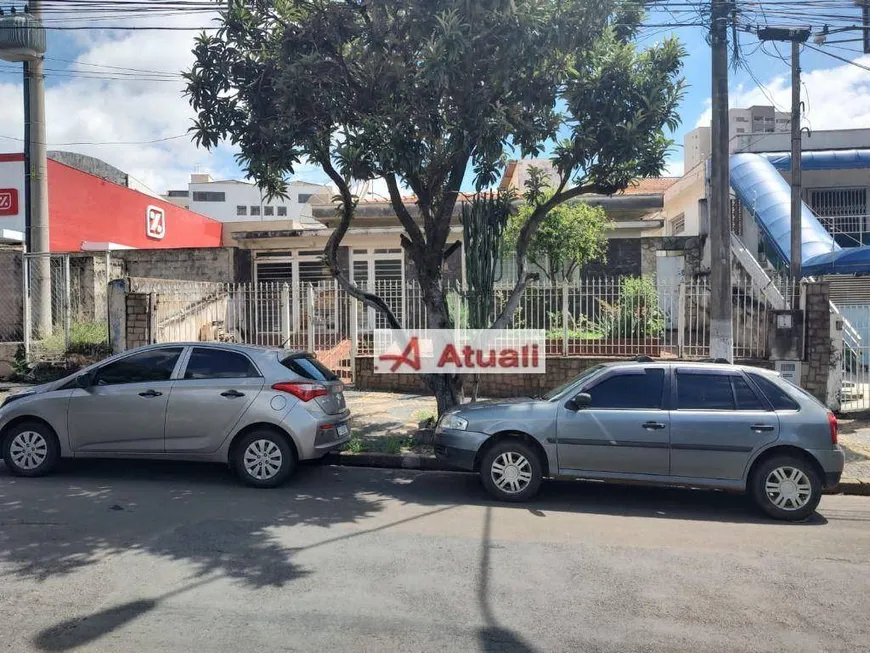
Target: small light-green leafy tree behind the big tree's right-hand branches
x,y
569,237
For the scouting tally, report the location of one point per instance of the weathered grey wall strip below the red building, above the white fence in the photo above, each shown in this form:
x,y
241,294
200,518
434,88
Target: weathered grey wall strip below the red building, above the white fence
x,y
196,264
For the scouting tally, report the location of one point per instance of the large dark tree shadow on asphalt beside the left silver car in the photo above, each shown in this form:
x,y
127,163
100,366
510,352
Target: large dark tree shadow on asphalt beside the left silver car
x,y
197,514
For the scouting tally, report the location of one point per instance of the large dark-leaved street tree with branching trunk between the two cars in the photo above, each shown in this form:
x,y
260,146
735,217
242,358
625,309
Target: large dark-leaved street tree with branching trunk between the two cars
x,y
422,92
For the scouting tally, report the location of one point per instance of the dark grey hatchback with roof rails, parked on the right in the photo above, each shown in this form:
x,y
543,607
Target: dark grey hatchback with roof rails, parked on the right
x,y
695,425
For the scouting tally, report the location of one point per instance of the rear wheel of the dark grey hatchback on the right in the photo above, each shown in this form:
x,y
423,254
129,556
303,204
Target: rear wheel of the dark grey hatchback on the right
x,y
786,488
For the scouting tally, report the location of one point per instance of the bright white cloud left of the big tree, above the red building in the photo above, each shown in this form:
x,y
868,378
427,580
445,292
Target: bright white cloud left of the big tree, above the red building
x,y
132,107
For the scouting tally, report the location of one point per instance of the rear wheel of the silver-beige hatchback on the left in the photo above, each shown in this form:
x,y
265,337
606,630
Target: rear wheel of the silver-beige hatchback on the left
x,y
264,459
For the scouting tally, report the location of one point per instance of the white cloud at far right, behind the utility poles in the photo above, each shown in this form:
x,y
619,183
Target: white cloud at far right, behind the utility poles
x,y
834,98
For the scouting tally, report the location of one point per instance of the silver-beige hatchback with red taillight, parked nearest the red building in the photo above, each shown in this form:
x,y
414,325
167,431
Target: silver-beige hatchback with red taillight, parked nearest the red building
x,y
259,409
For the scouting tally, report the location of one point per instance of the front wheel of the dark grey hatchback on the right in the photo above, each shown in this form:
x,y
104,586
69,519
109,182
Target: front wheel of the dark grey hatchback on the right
x,y
511,471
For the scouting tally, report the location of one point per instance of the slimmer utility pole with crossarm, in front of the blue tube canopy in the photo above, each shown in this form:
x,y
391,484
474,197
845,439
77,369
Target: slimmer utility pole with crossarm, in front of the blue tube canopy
x,y
796,36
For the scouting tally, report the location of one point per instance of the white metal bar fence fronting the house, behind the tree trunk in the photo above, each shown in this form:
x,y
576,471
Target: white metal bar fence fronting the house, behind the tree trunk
x,y
604,317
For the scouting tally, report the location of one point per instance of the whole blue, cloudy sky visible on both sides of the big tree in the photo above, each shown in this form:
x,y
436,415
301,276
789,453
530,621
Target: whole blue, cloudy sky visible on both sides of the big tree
x,y
92,103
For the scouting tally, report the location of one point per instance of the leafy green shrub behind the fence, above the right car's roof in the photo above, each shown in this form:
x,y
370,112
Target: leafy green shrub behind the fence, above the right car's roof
x,y
636,314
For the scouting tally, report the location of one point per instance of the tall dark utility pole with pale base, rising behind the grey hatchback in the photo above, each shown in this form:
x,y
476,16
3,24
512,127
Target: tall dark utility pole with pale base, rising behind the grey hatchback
x,y
721,325
